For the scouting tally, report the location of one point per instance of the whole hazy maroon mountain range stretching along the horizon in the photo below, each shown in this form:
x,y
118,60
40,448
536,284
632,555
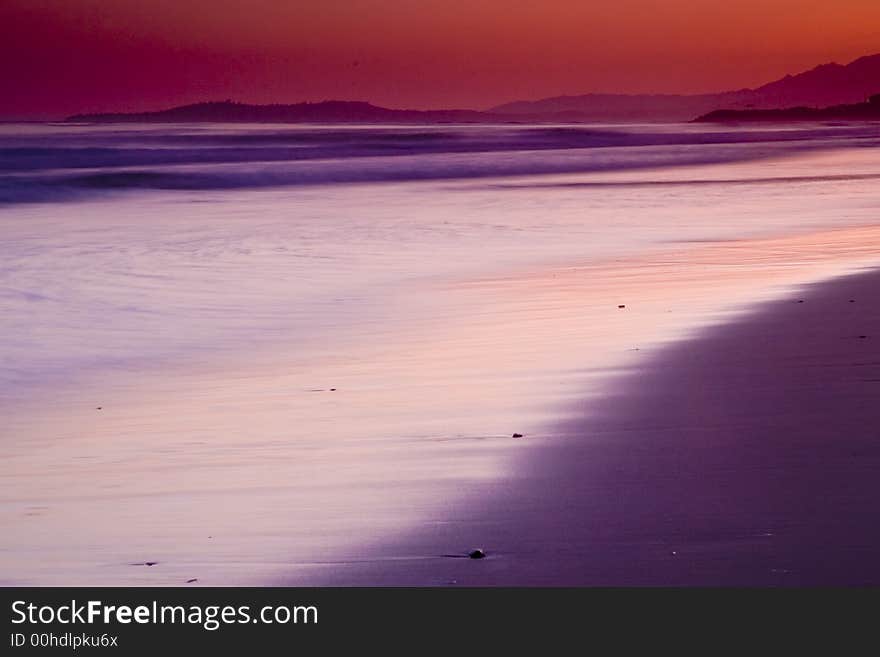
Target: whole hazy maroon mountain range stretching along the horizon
x,y
823,86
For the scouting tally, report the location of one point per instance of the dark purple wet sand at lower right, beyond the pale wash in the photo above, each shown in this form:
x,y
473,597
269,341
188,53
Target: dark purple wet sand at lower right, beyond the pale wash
x,y
747,456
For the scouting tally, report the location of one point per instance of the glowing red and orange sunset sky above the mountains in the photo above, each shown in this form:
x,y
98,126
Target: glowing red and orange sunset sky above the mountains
x,y
59,57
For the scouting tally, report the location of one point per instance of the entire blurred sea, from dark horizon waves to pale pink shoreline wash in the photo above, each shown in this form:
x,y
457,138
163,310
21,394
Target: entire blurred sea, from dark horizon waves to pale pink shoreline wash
x,y
248,352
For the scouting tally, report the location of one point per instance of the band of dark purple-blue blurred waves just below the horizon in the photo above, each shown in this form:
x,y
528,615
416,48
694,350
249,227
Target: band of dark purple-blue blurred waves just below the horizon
x,y
68,162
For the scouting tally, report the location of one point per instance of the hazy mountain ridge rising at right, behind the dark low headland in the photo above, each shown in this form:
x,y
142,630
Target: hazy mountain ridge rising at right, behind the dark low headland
x,y
829,84
